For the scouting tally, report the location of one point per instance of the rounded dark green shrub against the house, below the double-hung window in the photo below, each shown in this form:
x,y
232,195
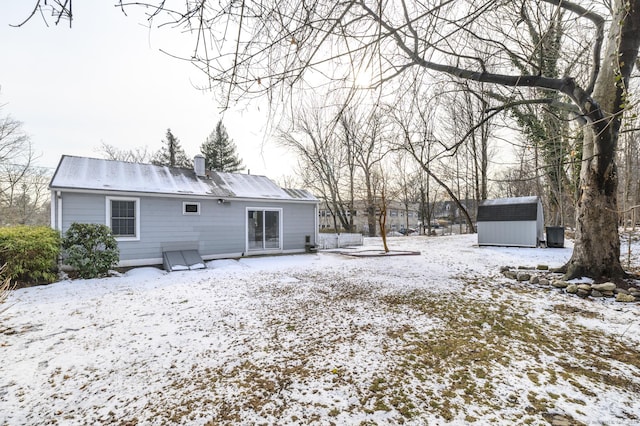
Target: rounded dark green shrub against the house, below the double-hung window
x,y
91,249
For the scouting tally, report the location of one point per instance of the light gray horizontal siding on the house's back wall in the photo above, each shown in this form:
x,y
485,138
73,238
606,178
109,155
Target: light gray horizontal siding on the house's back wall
x,y
219,229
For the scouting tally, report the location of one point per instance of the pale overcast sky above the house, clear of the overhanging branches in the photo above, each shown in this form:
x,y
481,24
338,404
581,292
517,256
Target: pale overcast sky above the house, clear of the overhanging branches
x,y
105,80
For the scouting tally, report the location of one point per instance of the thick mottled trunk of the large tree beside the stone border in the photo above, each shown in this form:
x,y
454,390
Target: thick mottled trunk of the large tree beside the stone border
x,y
597,243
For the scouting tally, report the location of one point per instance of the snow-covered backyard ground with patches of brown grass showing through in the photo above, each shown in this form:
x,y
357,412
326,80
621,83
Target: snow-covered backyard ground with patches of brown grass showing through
x,y
439,338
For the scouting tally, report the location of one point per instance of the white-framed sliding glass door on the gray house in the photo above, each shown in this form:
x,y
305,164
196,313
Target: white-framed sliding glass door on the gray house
x,y
264,229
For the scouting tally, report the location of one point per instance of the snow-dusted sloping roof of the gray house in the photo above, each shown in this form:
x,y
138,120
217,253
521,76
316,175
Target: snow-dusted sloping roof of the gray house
x,y
93,174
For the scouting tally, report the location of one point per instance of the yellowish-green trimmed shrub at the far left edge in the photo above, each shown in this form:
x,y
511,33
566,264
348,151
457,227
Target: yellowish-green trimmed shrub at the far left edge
x,y
30,253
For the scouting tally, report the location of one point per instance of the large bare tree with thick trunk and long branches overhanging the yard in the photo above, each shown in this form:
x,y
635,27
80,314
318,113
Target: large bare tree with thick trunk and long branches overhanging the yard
x,y
260,47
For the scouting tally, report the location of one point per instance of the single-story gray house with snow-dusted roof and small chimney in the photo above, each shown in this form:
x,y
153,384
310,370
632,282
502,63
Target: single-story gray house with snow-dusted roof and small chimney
x,y
154,210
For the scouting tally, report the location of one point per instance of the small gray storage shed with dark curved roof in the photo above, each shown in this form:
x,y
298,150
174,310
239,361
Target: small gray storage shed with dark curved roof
x,y
517,222
